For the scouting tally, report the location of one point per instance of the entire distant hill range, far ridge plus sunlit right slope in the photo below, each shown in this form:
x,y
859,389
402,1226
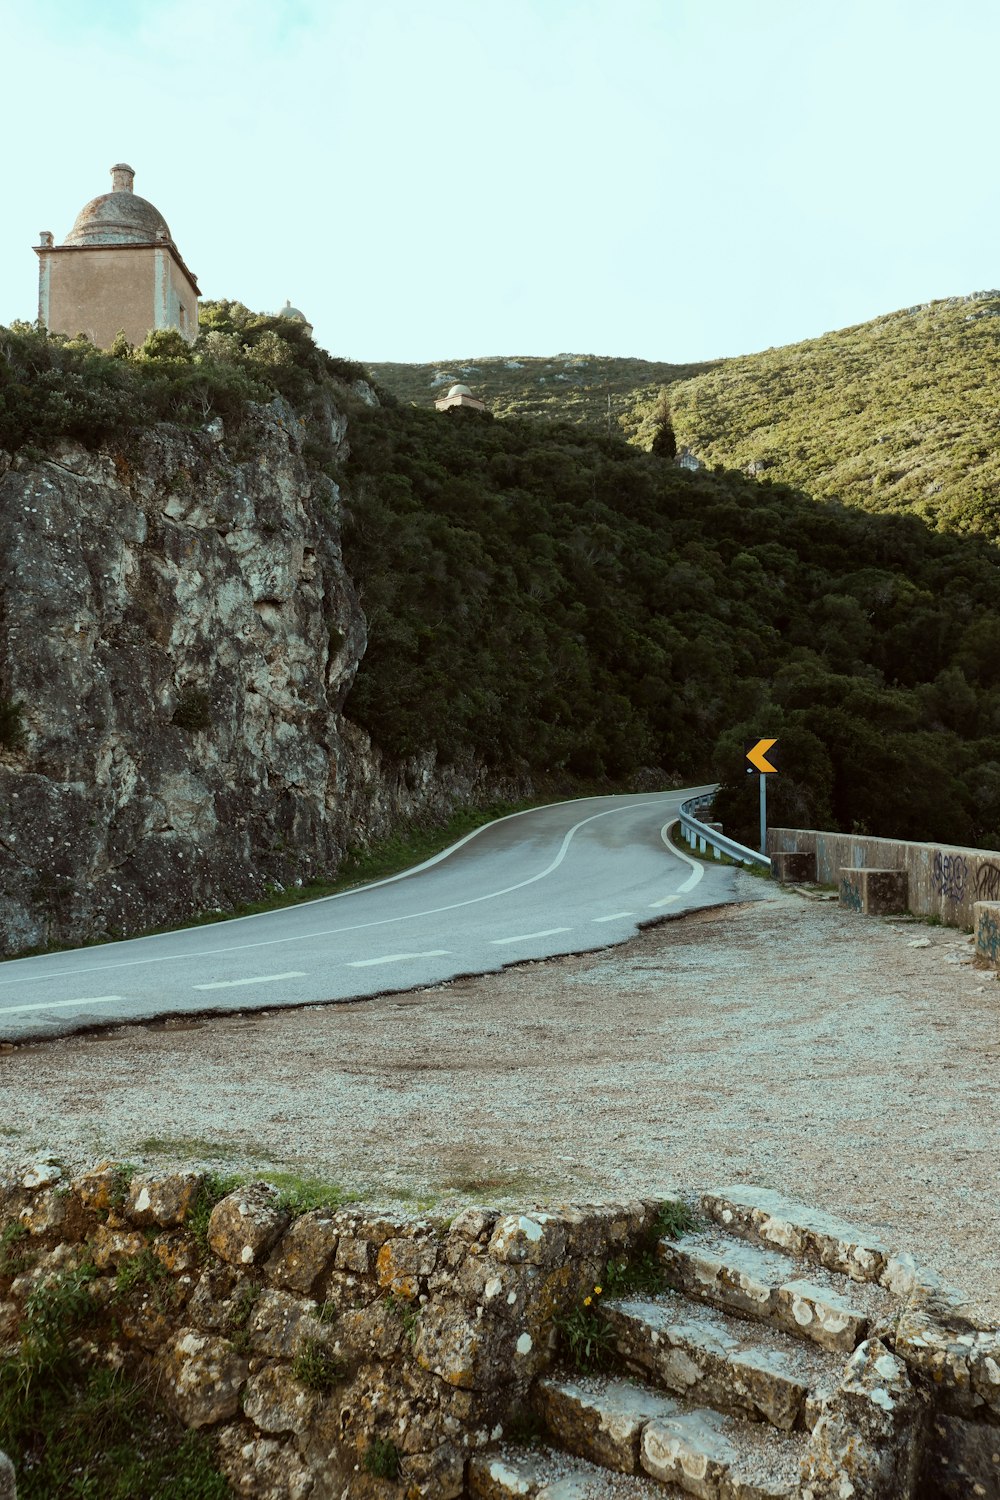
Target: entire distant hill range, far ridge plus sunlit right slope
x,y
899,415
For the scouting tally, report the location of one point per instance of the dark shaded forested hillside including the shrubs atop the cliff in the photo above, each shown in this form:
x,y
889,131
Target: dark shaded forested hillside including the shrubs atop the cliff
x,y
548,599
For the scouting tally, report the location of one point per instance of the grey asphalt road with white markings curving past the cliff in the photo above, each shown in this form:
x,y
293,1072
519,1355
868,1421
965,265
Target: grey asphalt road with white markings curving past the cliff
x,y
557,880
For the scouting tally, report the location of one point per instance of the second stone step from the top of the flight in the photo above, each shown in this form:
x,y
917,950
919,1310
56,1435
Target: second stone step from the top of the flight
x,y
774,1288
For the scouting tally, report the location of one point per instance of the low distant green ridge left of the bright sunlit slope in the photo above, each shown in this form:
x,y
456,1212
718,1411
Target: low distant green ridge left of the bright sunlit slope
x,y
570,388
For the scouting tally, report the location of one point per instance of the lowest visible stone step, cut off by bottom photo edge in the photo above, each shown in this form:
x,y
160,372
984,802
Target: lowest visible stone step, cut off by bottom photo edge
x,y
522,1474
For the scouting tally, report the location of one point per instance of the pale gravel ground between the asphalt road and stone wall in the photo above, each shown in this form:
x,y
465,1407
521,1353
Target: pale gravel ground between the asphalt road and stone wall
x,y
846,1061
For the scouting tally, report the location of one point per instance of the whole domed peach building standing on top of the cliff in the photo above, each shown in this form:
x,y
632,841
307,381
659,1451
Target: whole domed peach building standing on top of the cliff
x,y
118,269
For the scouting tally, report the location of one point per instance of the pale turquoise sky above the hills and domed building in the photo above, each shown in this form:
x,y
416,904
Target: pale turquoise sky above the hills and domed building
x,y
659,179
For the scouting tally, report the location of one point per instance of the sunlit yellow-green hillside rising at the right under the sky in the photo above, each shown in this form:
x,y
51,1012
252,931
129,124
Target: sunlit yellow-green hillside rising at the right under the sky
x,y
900,415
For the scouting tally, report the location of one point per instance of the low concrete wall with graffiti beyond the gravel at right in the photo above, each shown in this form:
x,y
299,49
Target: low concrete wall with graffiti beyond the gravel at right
x,y
945,880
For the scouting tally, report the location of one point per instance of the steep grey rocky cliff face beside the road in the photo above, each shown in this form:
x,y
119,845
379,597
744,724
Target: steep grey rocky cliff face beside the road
x,y
179,629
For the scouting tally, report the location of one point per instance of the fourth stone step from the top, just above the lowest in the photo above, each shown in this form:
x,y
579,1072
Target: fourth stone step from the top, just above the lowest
x,y
636,1430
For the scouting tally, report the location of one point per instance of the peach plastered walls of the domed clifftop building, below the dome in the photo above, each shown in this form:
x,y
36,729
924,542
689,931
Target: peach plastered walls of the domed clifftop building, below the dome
x,y
109,289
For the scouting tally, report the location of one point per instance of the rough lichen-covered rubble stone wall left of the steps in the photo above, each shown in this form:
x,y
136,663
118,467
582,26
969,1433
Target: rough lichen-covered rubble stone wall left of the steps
x,y
430,1334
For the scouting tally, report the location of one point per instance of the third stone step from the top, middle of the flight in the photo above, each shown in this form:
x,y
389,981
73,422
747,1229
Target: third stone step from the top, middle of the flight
x,y
723,1361
